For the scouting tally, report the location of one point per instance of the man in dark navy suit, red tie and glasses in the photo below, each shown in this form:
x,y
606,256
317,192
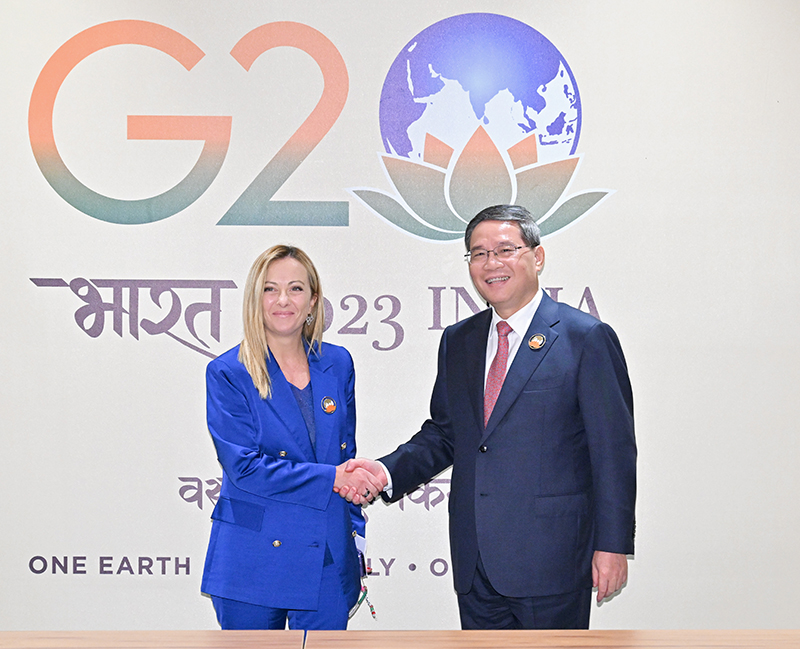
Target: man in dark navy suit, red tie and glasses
x,y
543,454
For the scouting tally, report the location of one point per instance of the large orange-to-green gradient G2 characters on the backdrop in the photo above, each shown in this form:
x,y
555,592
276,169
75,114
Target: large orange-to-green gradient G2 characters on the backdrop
x,y
255,205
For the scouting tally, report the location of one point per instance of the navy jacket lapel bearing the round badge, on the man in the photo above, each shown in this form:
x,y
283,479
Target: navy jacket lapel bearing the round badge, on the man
x,y
526,361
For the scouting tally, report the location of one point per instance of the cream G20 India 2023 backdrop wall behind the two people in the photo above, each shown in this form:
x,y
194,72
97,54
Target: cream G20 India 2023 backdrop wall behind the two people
x,y
150,150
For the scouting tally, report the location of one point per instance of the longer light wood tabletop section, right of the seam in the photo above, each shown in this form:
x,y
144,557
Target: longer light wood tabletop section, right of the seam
x,y
551,639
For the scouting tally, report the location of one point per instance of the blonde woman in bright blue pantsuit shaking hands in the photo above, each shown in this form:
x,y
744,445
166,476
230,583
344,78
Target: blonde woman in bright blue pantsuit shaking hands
x,y
281,412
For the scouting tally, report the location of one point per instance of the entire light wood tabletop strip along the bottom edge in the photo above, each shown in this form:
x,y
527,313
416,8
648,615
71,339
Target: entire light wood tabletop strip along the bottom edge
x,y
756,639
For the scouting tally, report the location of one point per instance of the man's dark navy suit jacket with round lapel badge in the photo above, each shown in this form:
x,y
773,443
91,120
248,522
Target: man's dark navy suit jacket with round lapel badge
x,y
552,477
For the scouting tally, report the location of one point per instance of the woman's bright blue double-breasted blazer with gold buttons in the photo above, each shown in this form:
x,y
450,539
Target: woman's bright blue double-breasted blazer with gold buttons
x,y
277,511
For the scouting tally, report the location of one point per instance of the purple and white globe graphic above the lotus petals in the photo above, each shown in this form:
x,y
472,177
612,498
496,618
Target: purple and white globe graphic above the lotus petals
x,y
480,69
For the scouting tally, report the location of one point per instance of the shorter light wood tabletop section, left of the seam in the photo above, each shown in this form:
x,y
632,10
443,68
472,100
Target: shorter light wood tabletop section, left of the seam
x,y
151,639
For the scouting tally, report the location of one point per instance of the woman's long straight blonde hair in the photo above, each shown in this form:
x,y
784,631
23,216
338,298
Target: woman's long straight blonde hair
x,y
254,349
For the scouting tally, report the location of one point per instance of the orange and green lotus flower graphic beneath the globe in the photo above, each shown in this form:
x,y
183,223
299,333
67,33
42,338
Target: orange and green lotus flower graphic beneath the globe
x,y
437,196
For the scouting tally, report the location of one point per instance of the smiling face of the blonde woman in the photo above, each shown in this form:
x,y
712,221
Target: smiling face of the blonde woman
x,y
287,299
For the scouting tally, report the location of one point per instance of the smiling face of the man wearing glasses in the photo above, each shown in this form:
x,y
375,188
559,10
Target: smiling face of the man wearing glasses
x,y
508,284
